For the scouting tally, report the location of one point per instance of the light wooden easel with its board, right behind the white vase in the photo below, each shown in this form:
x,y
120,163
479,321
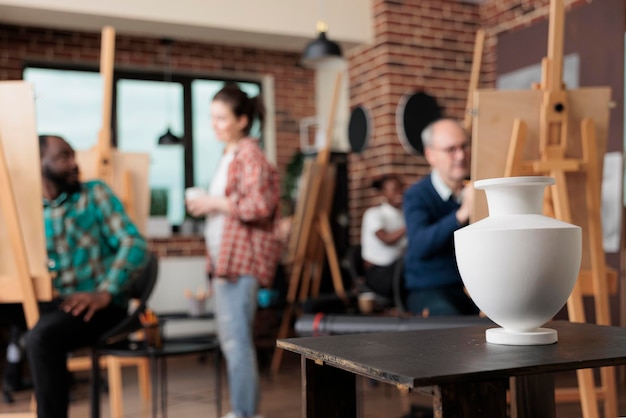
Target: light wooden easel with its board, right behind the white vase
x,y
571,132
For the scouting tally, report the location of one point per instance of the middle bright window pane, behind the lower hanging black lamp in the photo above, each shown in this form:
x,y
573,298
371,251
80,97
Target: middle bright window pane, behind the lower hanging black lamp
x,y
145,110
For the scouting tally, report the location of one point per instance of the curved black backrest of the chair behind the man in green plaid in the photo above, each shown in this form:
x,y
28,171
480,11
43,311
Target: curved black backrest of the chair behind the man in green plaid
x,y
140,289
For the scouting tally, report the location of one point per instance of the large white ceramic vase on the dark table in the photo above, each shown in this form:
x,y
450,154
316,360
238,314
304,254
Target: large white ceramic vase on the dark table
x,y
518,266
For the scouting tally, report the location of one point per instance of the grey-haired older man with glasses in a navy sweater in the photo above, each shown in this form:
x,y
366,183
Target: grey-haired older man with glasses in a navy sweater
x,y
434,208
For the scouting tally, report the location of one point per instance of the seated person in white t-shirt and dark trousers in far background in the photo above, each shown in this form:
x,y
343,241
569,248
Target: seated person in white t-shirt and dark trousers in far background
x,y
383,236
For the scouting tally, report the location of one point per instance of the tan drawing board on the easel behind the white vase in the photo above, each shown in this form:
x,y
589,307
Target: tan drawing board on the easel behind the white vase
x,y
493,127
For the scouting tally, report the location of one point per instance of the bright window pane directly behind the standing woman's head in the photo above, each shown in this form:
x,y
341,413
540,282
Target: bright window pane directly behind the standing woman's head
x,y
206,148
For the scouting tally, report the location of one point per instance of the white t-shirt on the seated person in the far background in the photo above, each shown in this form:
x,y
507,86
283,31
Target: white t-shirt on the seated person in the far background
x,y
373,249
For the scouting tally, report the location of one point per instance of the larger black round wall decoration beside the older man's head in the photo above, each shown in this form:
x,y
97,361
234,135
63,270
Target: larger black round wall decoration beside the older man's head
x,y
413,114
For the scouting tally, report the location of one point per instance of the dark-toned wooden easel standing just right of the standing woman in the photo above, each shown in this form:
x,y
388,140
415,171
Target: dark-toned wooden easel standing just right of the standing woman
x,y
311,235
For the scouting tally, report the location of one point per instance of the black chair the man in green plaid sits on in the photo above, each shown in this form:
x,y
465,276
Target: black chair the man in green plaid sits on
x,y
140,289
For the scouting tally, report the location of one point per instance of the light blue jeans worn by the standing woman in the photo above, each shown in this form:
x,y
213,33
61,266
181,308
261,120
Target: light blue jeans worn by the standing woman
x,y
235,307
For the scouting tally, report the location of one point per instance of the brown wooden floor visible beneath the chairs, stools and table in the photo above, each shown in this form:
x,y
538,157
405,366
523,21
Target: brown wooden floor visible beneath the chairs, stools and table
x,y
191,394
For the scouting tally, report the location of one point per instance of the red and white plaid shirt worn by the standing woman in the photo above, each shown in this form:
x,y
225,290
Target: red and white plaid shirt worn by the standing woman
x,y
250,244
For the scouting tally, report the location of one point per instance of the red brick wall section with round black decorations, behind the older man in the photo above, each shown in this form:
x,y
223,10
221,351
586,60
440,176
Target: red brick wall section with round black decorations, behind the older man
x,y
424,45
